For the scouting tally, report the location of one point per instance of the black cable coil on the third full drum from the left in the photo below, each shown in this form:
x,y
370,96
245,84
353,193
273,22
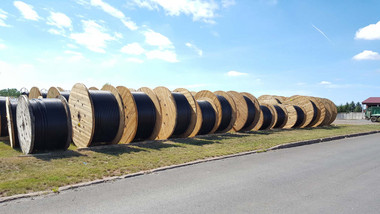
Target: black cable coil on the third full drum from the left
x,y
146,116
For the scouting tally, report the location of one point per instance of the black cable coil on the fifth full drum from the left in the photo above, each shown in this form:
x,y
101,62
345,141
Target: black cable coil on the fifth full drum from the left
x,y
208,115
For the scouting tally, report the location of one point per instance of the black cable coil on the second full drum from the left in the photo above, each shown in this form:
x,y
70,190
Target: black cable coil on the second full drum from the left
x,y
107,116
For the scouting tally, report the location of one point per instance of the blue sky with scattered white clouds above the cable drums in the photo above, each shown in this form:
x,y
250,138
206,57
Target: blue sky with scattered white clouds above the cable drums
x,y
318,48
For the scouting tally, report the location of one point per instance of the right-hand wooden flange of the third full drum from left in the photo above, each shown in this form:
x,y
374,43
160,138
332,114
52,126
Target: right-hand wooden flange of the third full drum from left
x,y
158,112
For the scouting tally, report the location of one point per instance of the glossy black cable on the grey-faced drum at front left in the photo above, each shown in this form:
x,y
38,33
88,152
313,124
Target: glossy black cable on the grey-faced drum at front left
x,y
51,120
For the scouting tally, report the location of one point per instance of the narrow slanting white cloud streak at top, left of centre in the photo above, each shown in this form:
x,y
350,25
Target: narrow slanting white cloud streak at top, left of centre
x,y
115,13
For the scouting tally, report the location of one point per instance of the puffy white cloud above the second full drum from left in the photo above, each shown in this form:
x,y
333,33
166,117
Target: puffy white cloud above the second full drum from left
x,y
94,36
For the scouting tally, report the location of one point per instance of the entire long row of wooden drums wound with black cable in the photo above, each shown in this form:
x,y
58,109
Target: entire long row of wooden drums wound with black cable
x,y
90,117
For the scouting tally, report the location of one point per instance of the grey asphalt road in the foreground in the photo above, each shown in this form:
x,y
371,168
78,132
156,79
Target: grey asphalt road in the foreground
x,y
333,177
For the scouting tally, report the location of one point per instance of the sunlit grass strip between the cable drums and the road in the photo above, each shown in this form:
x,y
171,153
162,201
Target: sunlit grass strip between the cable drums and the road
x,y
22,174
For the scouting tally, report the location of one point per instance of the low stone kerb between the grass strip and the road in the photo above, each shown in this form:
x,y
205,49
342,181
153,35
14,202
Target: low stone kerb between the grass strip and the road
x,y
84,184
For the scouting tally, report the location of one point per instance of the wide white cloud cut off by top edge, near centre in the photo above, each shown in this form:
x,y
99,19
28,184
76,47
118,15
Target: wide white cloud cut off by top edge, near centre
x,y
200,10
